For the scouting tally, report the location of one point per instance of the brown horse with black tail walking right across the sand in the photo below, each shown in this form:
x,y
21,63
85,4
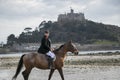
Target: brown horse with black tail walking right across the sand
x,y
40,61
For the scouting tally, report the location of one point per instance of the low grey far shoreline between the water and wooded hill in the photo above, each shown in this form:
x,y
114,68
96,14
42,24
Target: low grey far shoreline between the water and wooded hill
x,y
32,47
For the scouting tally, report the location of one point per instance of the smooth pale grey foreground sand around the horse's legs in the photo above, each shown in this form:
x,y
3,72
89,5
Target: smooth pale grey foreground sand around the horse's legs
x,y
71,72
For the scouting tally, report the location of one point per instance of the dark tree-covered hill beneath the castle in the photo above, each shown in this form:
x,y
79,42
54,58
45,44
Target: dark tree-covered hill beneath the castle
x,y
77,31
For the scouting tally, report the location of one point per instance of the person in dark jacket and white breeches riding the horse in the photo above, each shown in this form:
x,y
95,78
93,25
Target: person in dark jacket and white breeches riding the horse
x,y
46,49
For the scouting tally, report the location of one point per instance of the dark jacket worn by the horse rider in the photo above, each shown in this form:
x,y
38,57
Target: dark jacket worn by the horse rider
x,y
45,46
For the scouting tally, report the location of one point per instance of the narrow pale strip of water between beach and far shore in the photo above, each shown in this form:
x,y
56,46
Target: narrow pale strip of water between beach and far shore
x,y
100,52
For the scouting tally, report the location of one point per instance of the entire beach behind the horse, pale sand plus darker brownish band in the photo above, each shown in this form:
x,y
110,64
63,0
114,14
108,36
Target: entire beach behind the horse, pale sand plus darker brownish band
x,y
76,67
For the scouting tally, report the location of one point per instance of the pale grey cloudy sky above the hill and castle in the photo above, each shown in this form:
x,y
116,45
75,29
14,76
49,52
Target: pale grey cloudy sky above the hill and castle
x,y
15,15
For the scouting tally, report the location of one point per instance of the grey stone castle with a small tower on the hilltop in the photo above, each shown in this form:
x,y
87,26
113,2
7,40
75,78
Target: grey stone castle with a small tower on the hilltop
x,y
71,17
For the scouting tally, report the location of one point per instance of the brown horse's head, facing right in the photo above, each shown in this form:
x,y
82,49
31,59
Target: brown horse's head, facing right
x,y
71,47
